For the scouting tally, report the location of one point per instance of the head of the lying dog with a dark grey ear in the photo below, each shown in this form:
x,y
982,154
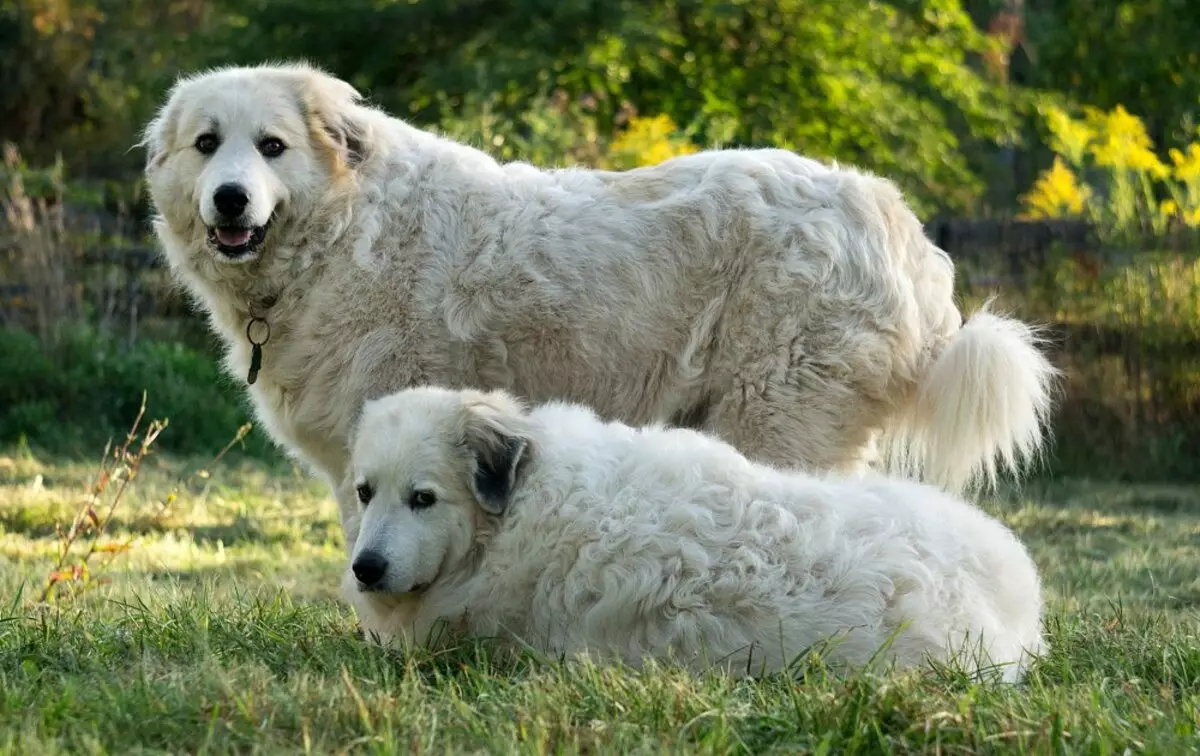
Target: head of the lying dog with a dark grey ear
x,y
430,467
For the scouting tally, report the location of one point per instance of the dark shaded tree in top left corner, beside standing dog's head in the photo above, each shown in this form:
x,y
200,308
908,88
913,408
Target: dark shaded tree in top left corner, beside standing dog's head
x,y
81,77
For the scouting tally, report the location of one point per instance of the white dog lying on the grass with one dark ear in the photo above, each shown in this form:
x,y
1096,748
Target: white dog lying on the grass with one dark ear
x,y
572,536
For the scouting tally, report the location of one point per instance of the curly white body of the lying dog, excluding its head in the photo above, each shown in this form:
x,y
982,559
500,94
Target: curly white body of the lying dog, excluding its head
x,y
653,538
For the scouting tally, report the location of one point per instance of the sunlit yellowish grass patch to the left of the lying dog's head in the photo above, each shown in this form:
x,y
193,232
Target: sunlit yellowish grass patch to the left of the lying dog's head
x,y
239,523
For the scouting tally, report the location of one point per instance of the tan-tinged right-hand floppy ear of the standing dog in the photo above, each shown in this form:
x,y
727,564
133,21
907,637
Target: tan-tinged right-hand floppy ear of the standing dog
x,y
332,107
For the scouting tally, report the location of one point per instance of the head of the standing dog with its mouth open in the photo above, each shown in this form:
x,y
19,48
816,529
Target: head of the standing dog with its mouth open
x,y
238,155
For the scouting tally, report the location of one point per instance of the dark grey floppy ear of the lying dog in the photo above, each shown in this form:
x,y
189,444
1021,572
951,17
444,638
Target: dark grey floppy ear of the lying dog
x,y
496,435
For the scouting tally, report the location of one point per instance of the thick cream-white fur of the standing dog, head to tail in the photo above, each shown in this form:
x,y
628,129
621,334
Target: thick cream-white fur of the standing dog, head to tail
x,y
795,309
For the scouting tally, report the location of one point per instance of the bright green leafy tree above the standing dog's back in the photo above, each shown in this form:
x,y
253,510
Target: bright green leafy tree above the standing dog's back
x,y
890,87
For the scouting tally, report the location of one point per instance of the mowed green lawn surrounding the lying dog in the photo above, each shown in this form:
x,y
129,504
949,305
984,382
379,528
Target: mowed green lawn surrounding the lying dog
x,y
220,632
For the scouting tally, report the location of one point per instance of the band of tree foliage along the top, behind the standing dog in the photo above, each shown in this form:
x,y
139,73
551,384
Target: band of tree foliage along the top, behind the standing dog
x,y
907,88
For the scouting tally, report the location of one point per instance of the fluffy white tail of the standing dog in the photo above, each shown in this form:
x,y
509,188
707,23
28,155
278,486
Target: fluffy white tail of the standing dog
x,y
982,406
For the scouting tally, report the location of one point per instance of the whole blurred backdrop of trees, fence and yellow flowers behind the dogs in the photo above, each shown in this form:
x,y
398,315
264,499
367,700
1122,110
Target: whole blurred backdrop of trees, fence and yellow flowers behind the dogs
x,y
1051,147
